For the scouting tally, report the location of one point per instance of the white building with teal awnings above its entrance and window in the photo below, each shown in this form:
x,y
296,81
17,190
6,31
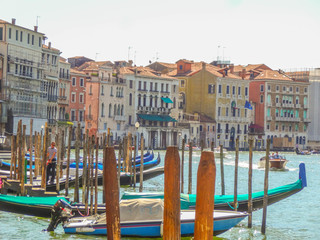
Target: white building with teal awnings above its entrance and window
x,y
152,100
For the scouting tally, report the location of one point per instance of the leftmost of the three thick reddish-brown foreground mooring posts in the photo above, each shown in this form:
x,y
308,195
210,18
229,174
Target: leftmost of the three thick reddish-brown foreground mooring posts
x,y
112,195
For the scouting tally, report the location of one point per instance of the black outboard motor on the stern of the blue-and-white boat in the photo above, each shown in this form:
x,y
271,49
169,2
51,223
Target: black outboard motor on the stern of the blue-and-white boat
x,y
60,212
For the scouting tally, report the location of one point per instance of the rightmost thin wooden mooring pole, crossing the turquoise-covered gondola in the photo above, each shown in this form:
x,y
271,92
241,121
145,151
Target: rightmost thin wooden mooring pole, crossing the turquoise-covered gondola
x,y
266,185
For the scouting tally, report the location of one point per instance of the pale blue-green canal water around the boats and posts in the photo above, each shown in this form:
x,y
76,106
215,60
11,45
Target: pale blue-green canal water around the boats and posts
x,y
296,217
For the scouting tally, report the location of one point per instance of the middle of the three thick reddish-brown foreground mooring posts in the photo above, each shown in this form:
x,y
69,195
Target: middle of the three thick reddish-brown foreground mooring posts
x,y
171,214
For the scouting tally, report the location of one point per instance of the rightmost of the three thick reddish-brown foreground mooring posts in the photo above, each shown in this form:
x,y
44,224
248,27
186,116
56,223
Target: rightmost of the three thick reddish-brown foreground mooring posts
x,y
206,177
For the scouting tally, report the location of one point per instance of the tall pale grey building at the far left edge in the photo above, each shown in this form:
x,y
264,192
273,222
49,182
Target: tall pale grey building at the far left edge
x,y
21,49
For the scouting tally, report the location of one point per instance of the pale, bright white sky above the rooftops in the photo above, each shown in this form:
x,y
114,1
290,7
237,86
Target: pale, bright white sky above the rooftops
x,y
283,34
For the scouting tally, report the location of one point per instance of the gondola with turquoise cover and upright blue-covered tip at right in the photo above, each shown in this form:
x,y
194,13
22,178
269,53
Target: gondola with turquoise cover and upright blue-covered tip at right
x,y
225,202
